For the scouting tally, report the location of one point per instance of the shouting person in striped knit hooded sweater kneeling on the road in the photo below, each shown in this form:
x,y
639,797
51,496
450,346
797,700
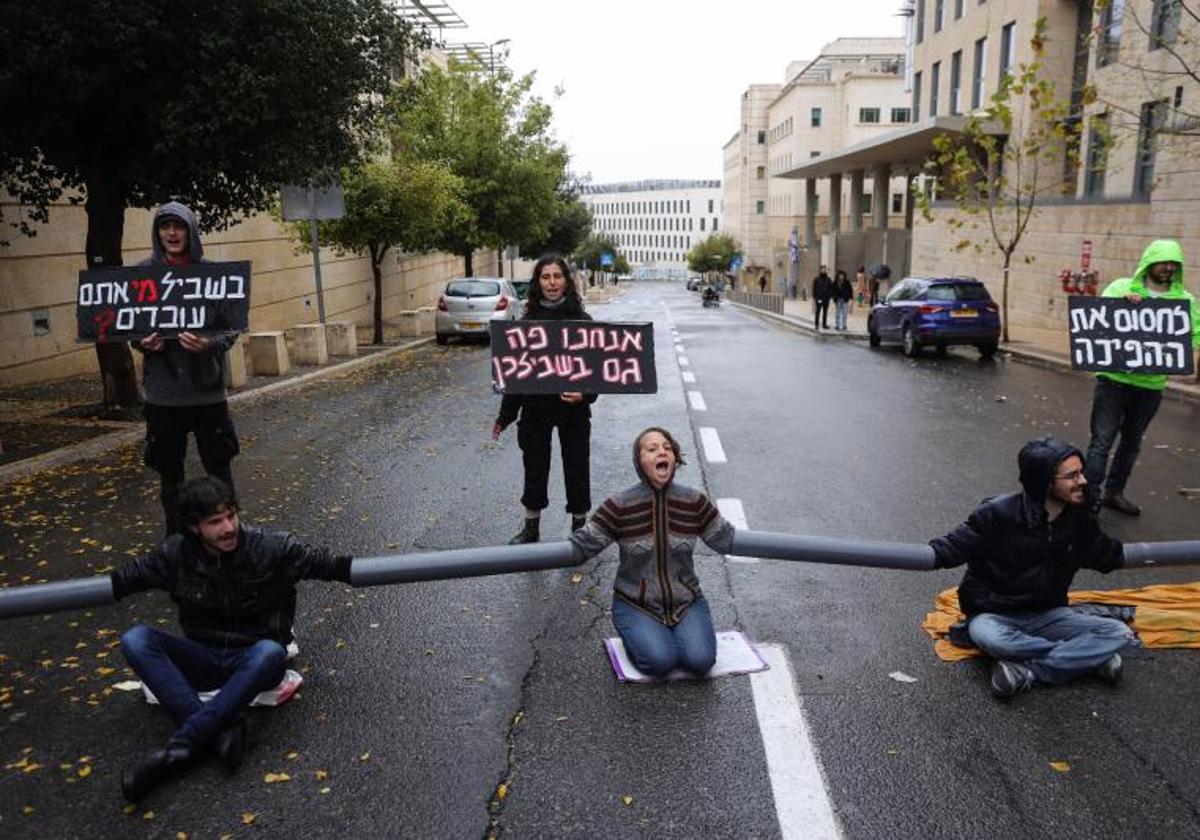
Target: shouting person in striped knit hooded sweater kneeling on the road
x,y
658,608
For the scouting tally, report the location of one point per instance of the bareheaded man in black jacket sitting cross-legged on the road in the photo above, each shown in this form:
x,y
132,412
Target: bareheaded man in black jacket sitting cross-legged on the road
x,y
236,590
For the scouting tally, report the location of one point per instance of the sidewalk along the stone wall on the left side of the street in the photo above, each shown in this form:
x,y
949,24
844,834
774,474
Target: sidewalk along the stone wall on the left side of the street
x,y
50,424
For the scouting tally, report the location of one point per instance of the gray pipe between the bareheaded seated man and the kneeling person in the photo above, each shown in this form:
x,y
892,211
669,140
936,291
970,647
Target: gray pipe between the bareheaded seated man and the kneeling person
x,y
437,566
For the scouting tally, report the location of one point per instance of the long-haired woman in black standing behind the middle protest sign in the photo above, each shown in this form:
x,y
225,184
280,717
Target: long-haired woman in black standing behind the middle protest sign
x,y
553,297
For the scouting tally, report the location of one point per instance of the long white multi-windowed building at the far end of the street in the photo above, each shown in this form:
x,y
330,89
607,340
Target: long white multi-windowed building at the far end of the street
x,y
656,223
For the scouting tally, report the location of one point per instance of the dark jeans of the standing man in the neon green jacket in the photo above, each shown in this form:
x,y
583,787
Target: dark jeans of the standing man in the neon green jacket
x,y
1117,409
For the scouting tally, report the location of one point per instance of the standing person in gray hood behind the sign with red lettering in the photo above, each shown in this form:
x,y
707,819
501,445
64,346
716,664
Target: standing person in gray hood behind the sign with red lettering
x,y
184,377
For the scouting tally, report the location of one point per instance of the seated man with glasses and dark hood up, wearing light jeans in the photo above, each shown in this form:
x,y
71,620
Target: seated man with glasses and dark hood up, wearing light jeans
x,y
1023,551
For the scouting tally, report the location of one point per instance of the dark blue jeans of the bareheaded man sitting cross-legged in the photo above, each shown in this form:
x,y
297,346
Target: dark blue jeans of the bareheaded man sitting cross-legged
x,y
176,670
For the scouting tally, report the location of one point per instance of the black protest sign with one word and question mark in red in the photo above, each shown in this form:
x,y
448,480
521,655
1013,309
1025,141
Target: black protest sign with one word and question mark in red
x,y
124,304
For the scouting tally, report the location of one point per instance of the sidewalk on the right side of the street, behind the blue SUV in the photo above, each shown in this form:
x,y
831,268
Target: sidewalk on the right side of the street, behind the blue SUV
x,y
1033,346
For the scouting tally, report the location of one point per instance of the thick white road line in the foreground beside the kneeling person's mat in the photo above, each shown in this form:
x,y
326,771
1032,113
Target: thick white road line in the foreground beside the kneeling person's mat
x,y
802,802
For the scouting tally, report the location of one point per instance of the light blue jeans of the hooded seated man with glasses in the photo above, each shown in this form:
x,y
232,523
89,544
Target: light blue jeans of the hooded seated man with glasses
x,y
1058,645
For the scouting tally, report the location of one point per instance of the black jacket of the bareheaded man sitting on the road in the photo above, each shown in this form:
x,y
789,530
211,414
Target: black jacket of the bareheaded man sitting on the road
x,y
236,599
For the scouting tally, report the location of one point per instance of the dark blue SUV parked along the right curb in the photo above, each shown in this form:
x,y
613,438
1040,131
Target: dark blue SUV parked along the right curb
x,y
937,313
